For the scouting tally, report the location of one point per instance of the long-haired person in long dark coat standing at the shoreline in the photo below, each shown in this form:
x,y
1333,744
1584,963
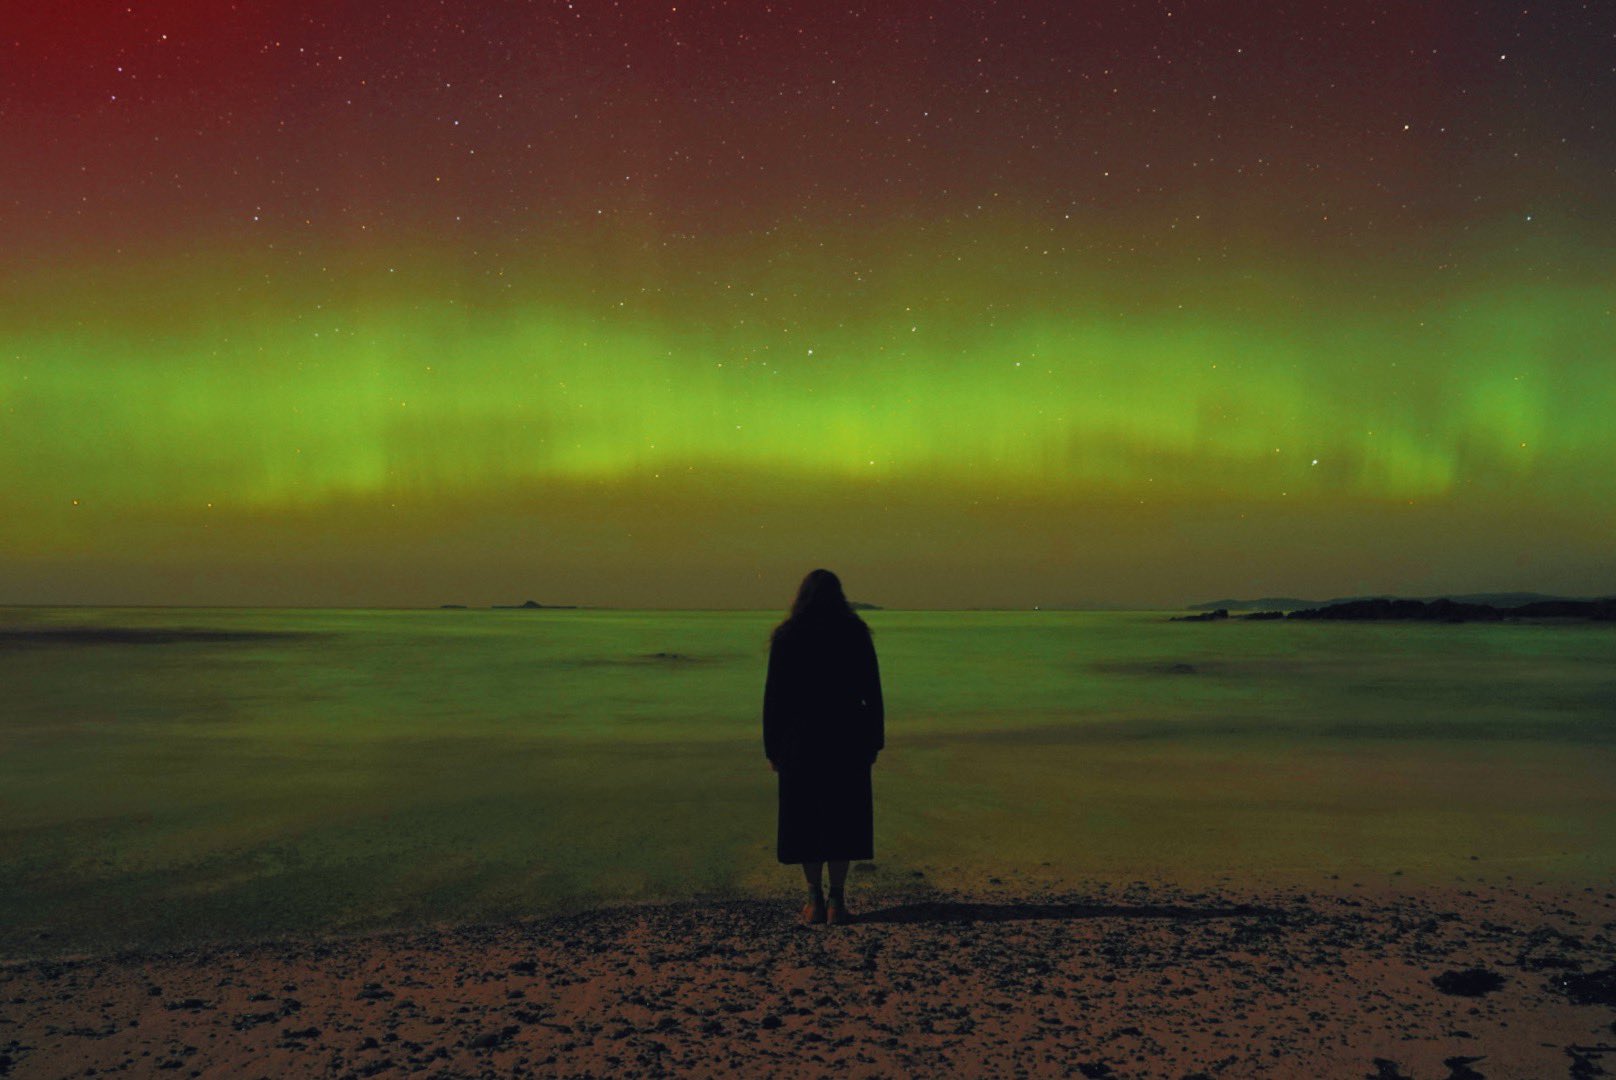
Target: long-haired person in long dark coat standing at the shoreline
x,y
823,727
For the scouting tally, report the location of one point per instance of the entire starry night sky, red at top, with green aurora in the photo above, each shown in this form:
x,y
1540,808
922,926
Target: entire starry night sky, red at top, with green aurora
x,y
663,305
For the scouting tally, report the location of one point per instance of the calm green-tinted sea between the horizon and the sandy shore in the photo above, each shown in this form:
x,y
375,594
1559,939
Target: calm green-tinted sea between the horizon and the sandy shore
x,y
351,770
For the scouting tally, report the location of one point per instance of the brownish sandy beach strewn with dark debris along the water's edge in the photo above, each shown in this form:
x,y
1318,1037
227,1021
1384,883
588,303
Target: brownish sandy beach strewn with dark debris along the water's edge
x,y
1103,981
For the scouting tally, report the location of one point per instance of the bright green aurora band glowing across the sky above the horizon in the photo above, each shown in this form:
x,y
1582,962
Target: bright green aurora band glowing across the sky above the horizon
x,y
182,397
